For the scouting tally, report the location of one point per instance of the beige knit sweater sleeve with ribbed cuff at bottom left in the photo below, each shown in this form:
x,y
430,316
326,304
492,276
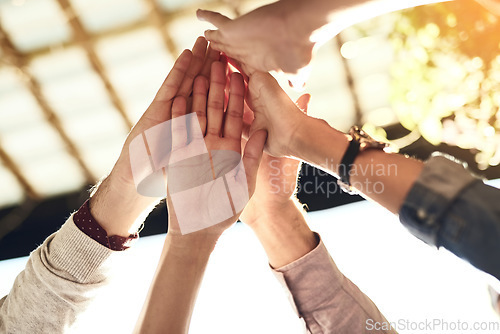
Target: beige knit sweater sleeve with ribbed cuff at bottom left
x,y
60,279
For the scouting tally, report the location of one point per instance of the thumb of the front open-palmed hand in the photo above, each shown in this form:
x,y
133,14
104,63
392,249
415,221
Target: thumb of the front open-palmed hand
x,y
252,157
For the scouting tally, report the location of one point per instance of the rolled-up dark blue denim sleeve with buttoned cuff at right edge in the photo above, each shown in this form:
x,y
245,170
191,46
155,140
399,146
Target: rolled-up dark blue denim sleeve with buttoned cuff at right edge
x,y
450,207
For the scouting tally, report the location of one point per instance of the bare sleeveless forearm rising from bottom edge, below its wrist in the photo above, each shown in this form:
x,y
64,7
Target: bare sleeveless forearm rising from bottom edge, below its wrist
x,y
173,292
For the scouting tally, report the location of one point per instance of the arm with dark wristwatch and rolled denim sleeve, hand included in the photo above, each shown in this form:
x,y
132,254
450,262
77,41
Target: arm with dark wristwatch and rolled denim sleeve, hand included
x,y
439,201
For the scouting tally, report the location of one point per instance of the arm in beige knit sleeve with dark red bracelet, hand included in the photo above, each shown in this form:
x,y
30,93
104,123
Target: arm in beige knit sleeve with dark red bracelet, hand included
x,y
64,274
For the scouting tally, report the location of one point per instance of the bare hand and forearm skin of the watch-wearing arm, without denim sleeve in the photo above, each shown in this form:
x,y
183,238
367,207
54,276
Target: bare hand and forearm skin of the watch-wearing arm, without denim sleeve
x,y
291,133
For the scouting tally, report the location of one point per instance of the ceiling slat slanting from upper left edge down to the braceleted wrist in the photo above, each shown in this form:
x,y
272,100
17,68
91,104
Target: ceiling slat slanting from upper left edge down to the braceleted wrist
x,y
19,61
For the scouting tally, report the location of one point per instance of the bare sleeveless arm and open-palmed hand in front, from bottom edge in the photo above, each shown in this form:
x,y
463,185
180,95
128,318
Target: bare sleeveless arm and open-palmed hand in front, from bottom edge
x,y
172,295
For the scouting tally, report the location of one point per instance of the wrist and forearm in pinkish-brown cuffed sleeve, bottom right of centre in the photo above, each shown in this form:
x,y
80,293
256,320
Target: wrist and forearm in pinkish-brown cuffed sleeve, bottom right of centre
x,y
326,300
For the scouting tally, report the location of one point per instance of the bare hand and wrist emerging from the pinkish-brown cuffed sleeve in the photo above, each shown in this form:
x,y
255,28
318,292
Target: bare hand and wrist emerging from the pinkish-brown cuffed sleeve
x,y
274,214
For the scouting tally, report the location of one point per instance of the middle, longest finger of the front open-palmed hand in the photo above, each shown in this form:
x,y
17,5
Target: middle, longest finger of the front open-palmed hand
x,y
215,103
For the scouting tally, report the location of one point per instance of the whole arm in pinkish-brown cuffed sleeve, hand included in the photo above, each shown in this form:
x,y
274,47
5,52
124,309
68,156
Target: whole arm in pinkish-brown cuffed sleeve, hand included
x,y
326,300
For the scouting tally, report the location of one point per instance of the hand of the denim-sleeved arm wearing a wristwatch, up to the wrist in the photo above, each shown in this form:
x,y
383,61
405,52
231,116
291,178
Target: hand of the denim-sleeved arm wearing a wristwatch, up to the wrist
x,y
275,113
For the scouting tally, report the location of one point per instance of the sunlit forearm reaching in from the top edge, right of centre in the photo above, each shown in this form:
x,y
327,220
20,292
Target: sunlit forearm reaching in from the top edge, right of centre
x,y
323,19
